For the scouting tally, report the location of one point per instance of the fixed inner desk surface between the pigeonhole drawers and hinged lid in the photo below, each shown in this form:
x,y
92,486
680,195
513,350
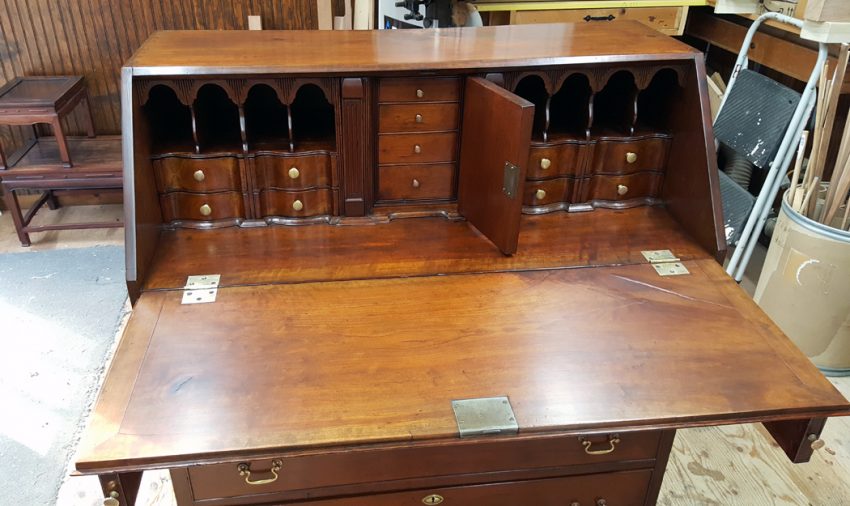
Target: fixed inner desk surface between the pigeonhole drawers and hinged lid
x,y
422,246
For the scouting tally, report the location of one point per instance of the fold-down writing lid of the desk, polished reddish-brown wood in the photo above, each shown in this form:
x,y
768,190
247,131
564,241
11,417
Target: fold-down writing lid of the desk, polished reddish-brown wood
x,y
318,391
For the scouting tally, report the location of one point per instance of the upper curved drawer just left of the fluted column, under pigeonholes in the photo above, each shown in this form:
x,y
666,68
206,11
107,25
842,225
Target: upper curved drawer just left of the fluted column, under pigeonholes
x,y
293,172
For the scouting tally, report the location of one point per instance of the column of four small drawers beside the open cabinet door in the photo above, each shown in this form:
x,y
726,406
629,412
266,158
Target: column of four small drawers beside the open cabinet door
x,y
417,139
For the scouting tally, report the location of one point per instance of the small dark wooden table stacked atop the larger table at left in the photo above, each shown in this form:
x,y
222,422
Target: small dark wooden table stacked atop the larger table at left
x,y
32,100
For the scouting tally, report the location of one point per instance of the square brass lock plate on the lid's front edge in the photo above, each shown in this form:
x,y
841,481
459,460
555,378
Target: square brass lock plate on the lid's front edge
x,y
484,416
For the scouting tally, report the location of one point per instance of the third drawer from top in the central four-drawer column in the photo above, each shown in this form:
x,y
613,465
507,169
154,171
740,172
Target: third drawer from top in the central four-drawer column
x,y
417,148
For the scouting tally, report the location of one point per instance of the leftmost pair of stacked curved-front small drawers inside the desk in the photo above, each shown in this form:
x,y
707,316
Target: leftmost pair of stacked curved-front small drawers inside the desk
x,y
199,189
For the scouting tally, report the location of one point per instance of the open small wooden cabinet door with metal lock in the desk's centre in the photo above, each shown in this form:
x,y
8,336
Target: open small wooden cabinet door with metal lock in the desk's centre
x,y
496,134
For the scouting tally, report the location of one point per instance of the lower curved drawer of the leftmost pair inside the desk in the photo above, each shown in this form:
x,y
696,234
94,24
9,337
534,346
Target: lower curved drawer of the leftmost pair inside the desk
x,y
179,206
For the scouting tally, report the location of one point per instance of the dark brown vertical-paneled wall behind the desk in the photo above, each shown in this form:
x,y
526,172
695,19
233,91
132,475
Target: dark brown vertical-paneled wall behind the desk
x,y
94,37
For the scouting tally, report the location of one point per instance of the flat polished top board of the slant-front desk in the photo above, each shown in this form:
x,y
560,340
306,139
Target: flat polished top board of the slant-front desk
x,y
361,52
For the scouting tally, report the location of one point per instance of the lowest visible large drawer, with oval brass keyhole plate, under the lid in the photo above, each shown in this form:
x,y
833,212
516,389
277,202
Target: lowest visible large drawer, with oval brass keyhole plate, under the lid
x,y
621,488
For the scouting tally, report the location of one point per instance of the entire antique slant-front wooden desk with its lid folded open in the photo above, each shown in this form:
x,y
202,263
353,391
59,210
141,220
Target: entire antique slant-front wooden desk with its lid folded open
x,y
439,277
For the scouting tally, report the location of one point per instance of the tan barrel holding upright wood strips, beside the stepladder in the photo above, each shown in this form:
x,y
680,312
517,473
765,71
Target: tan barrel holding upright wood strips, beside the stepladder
x,y
805,288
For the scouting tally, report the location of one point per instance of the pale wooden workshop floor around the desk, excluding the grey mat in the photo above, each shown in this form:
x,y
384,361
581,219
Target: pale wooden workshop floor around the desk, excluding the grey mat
x,y
734,465
